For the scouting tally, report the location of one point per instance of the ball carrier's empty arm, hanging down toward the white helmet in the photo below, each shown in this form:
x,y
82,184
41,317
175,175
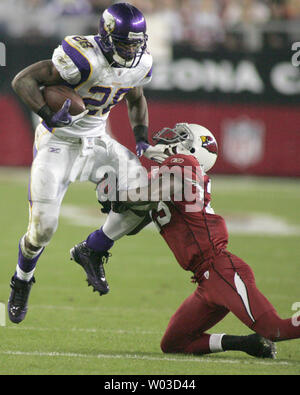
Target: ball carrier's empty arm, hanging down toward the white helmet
x,y
138,117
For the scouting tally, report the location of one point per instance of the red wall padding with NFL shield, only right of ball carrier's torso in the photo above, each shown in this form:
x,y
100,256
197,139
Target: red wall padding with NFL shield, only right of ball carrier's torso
x,y
253,140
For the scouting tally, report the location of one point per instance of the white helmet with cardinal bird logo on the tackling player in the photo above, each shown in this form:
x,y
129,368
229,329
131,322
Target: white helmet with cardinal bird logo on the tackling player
x,y
187,139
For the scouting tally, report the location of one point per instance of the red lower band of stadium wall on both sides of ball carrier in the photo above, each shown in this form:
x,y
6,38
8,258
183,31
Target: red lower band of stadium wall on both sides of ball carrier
x,y
254,140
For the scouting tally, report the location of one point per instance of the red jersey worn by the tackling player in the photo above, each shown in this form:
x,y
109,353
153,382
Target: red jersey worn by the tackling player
x,y
195,237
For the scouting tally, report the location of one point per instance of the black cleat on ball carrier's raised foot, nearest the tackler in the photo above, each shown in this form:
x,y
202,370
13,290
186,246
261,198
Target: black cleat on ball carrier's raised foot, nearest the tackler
x,y
92,262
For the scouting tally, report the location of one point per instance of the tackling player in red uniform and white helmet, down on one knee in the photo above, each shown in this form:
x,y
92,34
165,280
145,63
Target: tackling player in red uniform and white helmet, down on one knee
x,y
198,238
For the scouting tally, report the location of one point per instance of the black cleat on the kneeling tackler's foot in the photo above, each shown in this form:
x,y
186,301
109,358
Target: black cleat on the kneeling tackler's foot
x,y
260,347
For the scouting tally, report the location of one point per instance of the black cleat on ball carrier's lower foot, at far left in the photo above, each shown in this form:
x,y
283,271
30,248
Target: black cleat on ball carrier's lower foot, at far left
x,y
18,300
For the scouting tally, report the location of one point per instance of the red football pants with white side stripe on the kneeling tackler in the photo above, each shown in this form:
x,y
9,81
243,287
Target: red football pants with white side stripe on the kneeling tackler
x,y
228,285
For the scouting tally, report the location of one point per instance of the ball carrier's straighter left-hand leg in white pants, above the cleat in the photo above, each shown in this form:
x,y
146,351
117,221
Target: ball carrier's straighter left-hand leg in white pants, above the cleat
x,y
49,180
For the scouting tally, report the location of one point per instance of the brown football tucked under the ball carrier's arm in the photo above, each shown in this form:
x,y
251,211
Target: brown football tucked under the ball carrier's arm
x,y
56,95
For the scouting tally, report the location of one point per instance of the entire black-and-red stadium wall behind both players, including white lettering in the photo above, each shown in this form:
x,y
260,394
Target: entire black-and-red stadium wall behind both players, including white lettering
x,y
250,101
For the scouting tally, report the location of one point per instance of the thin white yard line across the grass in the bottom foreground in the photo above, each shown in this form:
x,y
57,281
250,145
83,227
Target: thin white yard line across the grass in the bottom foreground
x,y
148,358
